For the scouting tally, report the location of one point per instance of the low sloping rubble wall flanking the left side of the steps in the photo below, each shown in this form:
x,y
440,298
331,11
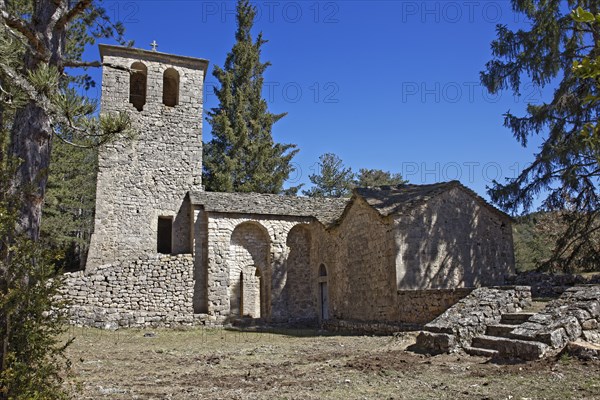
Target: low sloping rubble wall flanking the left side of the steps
x,y
458,325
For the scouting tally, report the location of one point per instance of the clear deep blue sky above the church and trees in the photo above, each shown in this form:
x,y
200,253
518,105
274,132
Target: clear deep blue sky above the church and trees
x,y
392,85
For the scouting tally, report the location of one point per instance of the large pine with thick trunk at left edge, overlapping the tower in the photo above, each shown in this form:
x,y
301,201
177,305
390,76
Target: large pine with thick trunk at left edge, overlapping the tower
x,y
39,105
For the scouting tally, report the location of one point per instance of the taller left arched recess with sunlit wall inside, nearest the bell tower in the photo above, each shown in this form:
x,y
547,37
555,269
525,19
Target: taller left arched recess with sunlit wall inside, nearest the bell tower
x,y
248,264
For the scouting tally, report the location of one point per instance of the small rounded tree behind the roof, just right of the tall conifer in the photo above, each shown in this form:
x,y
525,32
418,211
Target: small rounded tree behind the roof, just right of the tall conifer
x,y
332,180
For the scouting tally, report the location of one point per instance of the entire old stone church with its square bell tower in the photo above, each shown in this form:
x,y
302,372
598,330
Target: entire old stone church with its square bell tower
x,y
165,252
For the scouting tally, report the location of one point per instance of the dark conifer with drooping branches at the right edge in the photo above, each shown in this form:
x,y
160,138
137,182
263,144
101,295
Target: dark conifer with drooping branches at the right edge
x,y
566,169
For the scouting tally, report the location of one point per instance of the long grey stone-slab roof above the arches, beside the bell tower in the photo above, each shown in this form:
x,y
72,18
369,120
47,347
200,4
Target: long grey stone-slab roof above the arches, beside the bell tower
x,y
326,211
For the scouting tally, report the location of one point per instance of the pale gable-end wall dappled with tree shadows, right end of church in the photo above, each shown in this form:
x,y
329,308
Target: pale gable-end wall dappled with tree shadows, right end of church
x,y
453,241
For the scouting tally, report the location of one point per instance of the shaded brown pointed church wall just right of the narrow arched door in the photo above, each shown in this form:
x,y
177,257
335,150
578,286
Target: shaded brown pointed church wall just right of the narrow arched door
x,y
359,256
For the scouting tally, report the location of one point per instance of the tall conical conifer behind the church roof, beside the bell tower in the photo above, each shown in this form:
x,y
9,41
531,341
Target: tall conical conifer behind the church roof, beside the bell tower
x,y
242,157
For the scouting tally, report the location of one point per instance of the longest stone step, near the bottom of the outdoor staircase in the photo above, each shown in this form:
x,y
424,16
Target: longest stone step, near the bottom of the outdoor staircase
x,y
511,348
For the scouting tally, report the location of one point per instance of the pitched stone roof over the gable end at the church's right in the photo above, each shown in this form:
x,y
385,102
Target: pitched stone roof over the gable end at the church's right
x,y
388,200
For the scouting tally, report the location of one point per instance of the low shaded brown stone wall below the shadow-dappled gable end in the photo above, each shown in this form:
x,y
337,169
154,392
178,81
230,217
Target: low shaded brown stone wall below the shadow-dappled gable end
x,y
423,306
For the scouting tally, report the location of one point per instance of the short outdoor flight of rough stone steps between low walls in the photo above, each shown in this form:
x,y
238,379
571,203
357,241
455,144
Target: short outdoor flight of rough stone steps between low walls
x,y
498,342
